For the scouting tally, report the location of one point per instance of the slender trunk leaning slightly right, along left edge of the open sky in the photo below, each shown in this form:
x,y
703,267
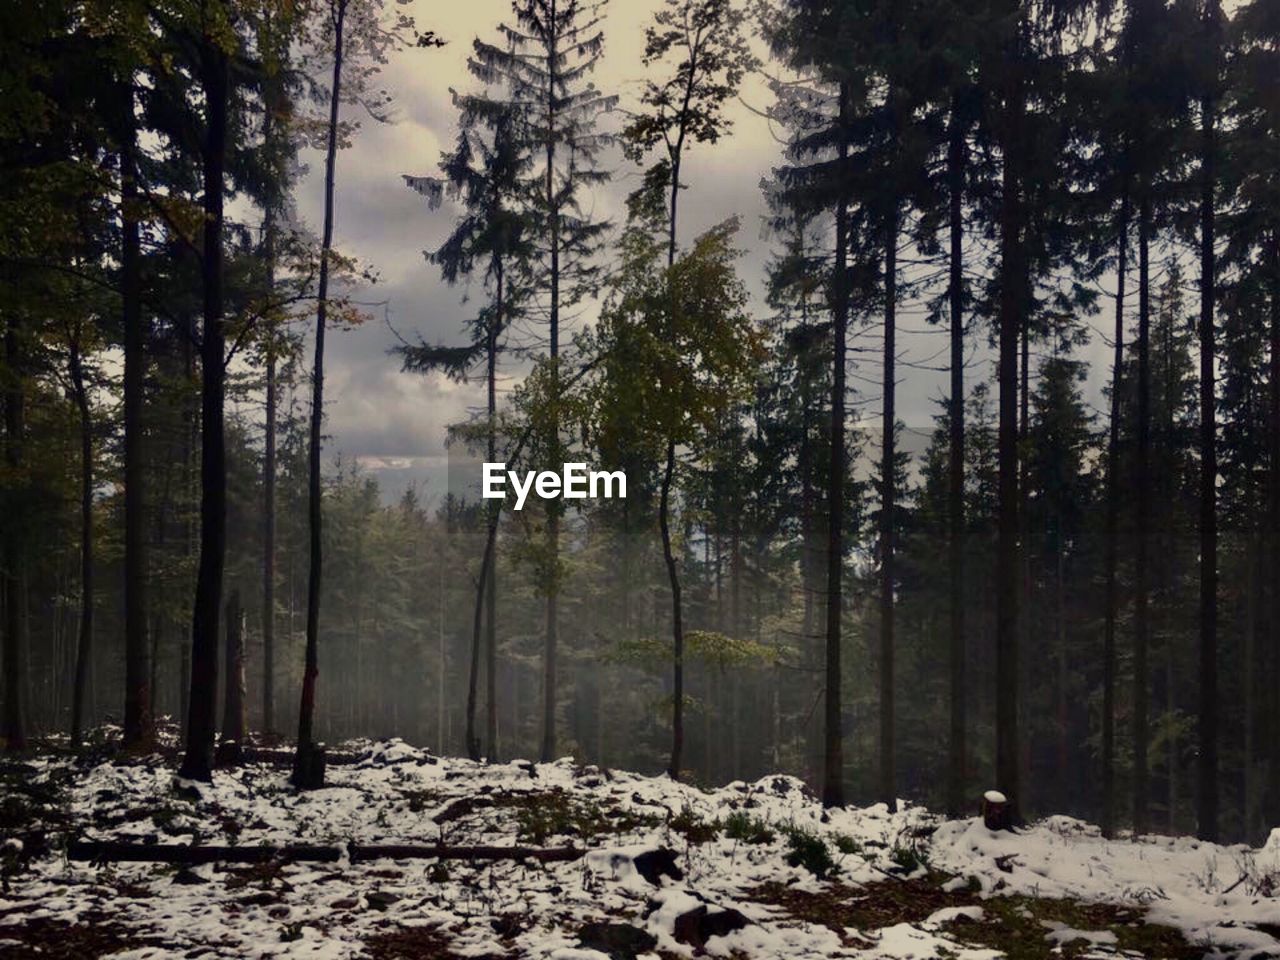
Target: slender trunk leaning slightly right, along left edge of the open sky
x,y
307,774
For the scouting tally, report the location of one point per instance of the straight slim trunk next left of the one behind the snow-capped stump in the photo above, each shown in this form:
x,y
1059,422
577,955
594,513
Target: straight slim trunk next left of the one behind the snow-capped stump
x,y
958,748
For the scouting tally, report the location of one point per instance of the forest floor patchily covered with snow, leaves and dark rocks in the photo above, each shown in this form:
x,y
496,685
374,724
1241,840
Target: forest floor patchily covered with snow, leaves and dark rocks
x,y
748,871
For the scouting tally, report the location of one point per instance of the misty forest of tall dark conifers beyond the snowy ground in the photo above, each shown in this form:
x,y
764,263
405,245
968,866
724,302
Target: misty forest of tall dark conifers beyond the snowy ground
x,y
1064,586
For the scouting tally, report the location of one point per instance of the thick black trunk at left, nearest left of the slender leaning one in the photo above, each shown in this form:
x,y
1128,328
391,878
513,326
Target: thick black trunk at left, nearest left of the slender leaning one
x,y
202,717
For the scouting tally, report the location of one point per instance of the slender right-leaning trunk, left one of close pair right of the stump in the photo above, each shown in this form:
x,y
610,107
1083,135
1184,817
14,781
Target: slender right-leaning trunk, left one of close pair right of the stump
x,y
1113,515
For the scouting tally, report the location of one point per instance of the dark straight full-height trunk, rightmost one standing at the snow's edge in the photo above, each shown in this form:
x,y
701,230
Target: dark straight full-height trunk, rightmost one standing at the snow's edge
x,y
1208,770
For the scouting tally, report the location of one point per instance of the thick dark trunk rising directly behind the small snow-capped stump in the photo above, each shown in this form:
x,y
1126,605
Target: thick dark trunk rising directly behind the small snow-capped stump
x,y
1013,287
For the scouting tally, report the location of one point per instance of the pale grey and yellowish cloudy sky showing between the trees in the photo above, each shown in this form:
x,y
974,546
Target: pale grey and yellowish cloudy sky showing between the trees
x,y
395,423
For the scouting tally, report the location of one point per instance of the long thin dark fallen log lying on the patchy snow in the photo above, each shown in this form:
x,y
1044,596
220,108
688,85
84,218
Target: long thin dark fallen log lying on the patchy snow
x,y
127,852
